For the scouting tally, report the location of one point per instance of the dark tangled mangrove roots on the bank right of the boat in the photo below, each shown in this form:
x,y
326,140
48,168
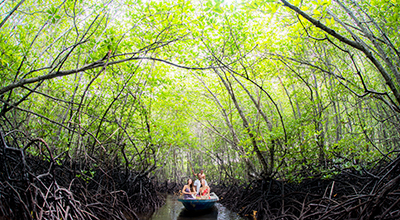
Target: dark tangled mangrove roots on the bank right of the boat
x,y
373,194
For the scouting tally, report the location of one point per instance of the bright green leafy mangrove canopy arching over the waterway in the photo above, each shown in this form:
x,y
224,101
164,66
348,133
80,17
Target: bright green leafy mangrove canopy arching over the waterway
x,y
241,89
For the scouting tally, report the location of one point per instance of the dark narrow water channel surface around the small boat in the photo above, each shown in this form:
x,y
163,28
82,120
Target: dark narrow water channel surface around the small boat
x,y
174,210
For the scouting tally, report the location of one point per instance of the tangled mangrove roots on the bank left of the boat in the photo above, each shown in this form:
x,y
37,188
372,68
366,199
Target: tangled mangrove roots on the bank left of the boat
x,y
42,187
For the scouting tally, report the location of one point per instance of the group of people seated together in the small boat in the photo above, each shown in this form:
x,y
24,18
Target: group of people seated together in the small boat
x,y
198,189
